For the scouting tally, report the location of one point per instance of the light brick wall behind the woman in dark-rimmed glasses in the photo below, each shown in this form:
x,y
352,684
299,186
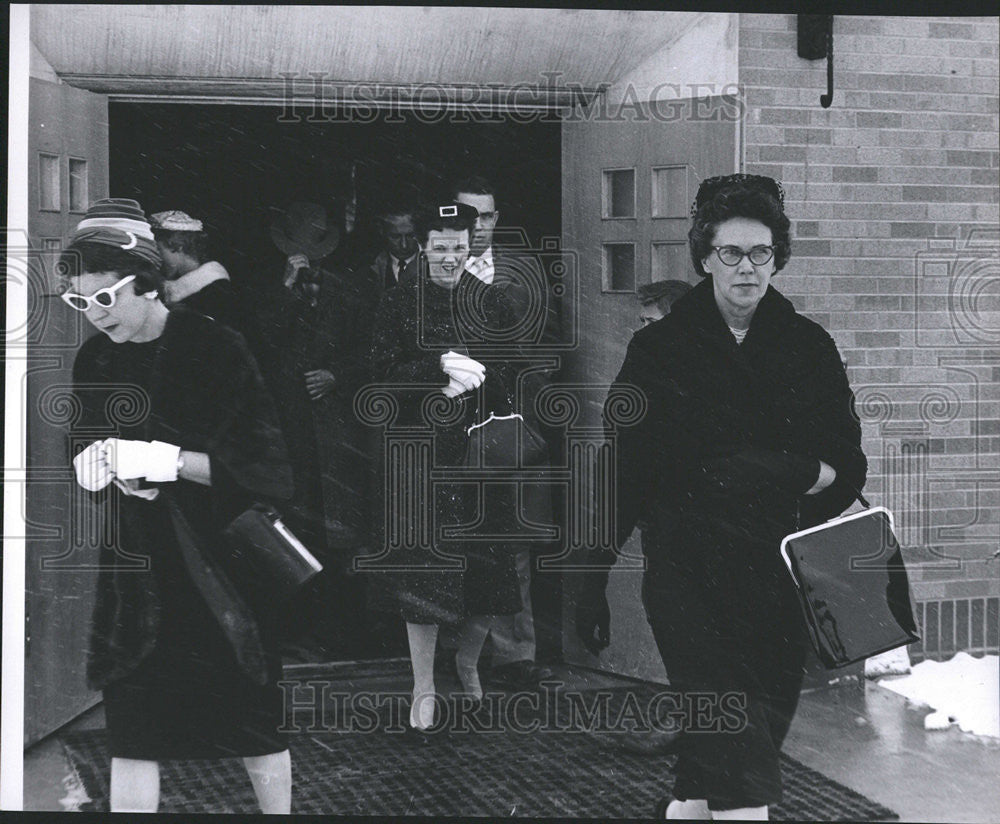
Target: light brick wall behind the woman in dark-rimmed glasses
x,y
893,195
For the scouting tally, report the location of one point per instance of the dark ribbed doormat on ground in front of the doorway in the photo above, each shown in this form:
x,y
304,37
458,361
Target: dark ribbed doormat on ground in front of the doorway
x,y
531,771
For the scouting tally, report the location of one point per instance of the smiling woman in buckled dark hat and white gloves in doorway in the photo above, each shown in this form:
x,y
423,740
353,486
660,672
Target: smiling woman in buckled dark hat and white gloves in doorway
x,y
429,337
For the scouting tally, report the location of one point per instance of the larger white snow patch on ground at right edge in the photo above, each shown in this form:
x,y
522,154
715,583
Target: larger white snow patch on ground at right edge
x,y
964,688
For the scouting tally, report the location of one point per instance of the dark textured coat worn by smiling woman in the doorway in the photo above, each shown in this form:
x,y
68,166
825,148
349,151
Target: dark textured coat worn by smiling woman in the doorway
x,y
415,324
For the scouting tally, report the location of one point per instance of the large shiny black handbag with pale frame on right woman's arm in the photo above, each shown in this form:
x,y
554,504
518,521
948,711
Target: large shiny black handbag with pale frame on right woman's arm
x,y
852,586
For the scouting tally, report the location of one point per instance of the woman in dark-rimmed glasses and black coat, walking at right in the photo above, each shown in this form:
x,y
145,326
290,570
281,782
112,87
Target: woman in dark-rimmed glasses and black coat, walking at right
x,y
749,431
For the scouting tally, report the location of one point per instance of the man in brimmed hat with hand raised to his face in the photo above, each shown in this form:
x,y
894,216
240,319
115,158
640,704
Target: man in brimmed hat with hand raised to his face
x,y
316,322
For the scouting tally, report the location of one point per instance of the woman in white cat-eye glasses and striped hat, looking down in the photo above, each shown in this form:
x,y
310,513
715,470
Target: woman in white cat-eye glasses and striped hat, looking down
x,y
175,437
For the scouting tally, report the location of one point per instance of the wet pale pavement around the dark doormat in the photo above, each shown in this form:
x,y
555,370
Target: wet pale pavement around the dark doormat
x,y
865,737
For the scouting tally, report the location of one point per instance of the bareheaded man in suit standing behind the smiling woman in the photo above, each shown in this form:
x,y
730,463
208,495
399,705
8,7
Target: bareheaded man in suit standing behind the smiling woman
x,y
516,270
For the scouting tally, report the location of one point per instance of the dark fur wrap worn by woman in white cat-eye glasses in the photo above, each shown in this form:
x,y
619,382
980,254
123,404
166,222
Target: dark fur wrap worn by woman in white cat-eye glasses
x,y
205,394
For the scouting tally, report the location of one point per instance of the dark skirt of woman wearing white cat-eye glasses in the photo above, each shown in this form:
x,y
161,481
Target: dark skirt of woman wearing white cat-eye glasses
x,y
188,698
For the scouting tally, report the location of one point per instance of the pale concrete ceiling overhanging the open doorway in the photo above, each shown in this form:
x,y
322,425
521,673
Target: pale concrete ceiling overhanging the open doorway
x,y
90,44
